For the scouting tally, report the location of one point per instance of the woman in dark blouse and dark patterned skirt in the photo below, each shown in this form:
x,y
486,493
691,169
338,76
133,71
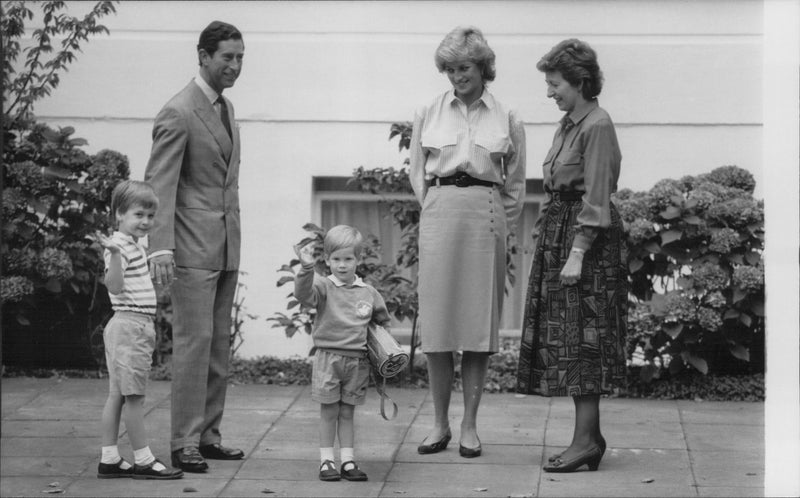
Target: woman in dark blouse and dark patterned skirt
x,y
573,337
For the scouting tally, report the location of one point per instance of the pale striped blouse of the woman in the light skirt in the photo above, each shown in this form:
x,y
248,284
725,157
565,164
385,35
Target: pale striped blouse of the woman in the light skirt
x,y
486,140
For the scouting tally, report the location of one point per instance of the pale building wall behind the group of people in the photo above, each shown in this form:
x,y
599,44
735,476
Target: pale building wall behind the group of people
x,y
323,81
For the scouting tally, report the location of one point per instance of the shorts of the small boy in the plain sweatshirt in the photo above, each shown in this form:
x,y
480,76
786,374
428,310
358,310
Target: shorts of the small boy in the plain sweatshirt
x,y
335,377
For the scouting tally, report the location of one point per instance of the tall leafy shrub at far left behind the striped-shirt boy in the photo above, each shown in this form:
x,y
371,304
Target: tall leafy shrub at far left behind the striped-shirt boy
x,y
54,194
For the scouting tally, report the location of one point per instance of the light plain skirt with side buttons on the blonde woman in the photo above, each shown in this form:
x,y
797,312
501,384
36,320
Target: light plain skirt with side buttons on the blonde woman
x,y
462,269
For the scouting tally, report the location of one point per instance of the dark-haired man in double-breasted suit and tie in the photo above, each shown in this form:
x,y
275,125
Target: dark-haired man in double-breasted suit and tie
x,y
194,245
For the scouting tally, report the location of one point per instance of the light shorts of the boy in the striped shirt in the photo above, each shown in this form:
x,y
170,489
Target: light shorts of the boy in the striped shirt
x,y
130,339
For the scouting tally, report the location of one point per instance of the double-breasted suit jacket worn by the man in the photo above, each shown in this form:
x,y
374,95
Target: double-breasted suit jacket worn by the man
x,y
194,169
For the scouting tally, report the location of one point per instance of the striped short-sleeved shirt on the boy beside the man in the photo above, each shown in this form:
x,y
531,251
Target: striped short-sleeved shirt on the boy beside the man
x,y
138,293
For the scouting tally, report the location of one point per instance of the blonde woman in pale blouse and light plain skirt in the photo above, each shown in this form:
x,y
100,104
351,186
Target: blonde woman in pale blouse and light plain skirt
x,y
468,173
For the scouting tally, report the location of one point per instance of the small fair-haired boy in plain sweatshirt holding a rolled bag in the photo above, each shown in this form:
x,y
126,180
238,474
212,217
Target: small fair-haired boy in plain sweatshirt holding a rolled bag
x,y
345,306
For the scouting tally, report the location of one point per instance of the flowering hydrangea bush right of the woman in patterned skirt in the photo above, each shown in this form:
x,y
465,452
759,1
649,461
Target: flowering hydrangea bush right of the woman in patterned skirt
x,y
695,248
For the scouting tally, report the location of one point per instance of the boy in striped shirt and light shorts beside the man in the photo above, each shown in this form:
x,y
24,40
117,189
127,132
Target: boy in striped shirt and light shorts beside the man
x,y
130,335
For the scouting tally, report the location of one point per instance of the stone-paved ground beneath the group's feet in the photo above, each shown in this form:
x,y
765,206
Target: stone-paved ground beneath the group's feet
x,y
50,433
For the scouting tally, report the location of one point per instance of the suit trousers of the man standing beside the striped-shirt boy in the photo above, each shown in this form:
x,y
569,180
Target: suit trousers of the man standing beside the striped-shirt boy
x,y
201,330
